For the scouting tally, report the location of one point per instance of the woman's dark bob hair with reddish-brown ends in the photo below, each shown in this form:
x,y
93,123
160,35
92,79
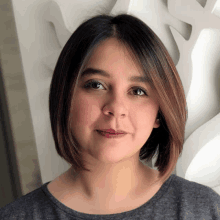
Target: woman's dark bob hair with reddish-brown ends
x,y
166,141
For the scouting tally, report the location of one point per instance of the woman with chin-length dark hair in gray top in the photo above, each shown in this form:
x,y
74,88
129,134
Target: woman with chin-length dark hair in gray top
x,y
116,100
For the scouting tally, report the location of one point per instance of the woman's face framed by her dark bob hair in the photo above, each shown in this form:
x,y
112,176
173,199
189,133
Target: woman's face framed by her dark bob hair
x,y
113,102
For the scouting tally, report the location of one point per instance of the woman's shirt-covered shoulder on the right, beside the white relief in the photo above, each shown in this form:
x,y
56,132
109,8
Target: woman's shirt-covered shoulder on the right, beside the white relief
x,y
196,198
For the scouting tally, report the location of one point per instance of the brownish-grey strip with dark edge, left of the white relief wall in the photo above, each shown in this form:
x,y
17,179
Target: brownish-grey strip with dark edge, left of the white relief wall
x,y
19,168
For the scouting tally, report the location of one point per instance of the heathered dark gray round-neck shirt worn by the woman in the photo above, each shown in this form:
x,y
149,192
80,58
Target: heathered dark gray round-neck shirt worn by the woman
x,y
177,198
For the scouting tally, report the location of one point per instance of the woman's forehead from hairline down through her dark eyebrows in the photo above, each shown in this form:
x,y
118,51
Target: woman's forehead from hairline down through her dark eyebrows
x,y
112,57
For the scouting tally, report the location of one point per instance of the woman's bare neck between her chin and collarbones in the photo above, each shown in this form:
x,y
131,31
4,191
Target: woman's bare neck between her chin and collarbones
x,y
114,182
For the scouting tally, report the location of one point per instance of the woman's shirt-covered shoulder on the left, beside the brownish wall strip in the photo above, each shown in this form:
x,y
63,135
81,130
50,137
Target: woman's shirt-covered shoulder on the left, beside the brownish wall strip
x,y
25,206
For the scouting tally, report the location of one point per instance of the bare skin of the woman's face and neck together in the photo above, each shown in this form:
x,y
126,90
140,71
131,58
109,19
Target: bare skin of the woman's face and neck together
x,y
117,175
